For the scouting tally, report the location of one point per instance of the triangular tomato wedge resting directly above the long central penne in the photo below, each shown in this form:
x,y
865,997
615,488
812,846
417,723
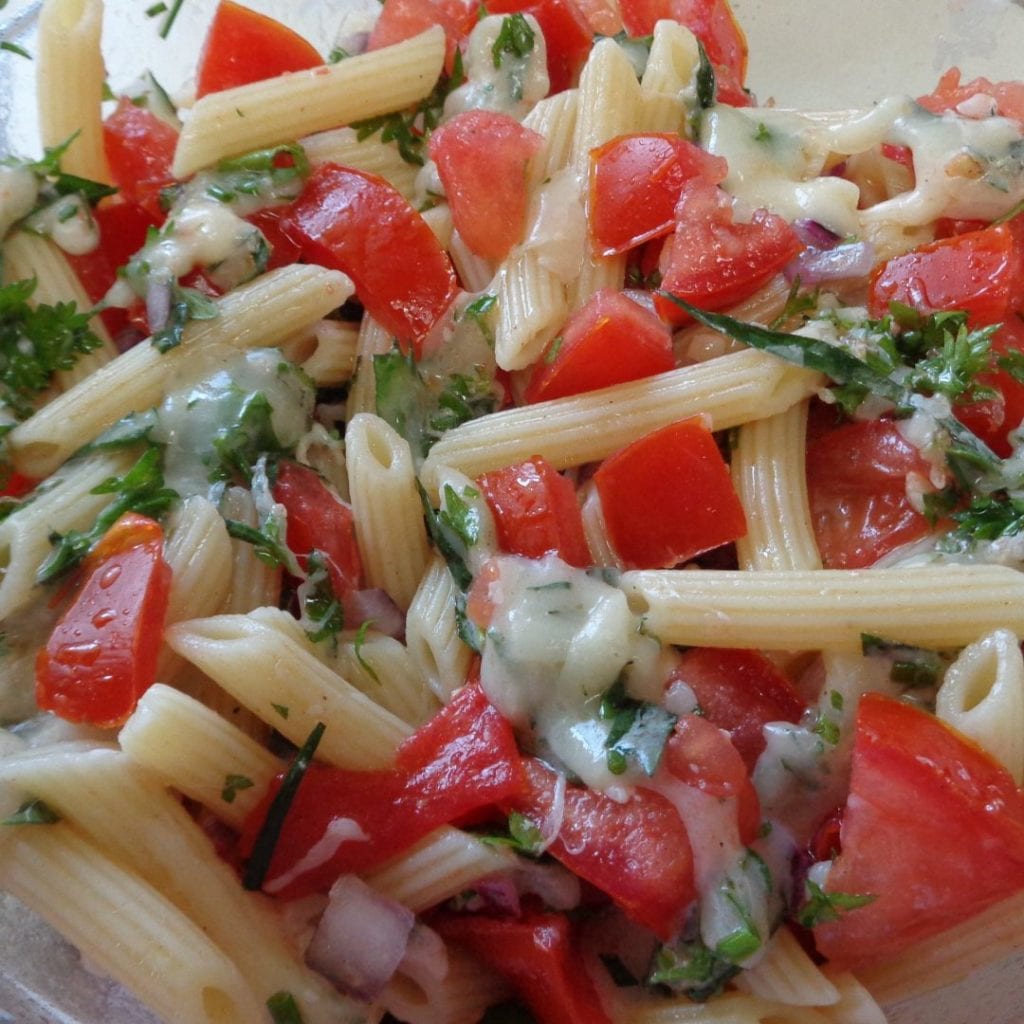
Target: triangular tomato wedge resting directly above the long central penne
x,y
611,340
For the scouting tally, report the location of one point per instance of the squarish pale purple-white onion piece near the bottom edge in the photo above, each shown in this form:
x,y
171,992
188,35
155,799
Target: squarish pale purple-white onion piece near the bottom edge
x,y
361,940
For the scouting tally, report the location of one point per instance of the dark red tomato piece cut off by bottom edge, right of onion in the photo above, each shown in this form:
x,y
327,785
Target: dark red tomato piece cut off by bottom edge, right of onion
x,y
537,956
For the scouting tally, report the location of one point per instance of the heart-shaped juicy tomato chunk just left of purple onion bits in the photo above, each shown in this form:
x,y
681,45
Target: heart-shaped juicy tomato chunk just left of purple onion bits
x,y
713,263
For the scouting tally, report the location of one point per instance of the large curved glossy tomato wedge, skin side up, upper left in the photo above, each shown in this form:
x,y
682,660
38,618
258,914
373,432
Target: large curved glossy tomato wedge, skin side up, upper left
x,y
357,223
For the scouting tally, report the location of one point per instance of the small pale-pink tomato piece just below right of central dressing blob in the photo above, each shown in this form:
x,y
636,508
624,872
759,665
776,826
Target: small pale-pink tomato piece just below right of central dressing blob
x,y
701,755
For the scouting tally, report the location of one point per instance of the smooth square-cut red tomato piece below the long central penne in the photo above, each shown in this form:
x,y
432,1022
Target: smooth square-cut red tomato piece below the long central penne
x,y
669,497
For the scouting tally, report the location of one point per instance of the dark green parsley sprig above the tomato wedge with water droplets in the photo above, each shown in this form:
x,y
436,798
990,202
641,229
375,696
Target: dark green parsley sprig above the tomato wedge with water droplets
x,y
141,490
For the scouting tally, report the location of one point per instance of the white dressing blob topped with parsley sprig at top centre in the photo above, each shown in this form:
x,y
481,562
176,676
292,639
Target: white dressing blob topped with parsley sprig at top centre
x,y
511,89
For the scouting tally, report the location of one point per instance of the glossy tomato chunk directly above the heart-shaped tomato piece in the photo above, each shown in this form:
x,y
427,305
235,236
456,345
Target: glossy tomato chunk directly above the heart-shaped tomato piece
x,y
635,184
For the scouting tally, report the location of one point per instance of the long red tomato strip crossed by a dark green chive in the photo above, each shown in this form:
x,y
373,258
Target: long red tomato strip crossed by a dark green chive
x,y
463,759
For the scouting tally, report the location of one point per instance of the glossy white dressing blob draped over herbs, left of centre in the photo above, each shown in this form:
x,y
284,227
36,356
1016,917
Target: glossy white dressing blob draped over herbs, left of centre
x,y
192,419
